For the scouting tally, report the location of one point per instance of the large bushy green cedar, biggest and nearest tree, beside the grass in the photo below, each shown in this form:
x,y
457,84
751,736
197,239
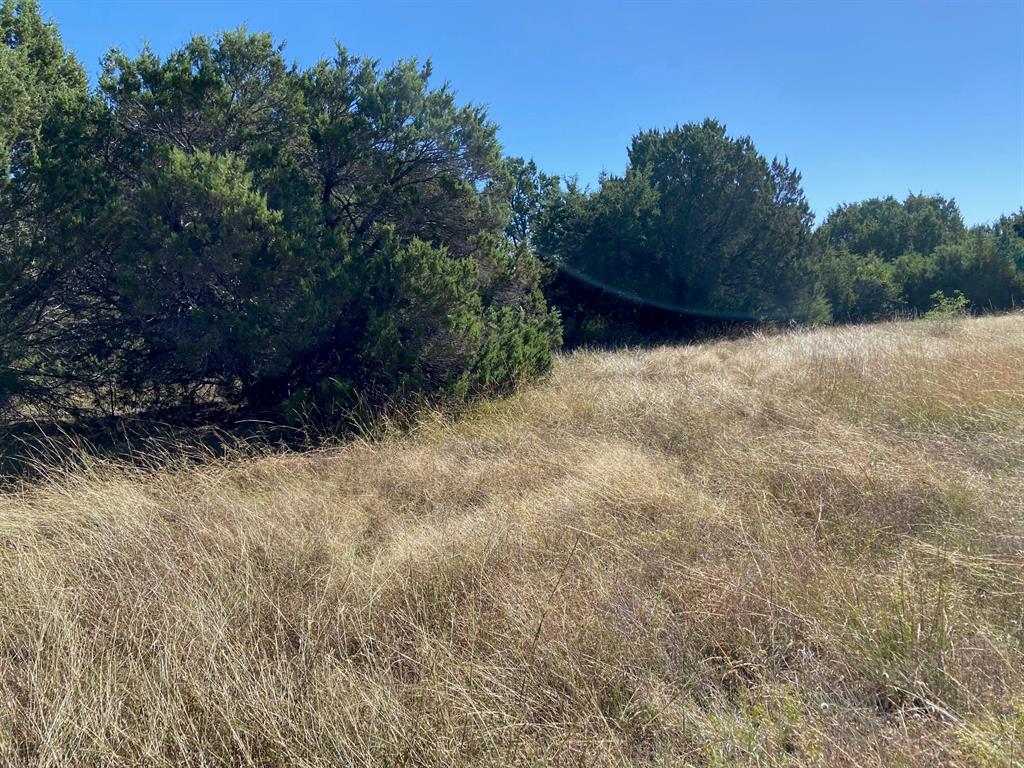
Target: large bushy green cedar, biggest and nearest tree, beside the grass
x,y
285,242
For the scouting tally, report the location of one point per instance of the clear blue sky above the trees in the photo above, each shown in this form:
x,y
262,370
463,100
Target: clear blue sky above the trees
x,y
866,100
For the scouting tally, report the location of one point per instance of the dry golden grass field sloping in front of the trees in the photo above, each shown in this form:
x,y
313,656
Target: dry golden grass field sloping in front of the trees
x,y
794,549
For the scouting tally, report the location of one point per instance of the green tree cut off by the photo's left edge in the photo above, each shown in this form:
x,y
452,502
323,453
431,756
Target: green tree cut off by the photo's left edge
x,y
44,98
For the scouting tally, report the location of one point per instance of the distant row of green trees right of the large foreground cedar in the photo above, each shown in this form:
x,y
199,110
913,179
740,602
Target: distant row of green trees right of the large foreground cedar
x,y
703,225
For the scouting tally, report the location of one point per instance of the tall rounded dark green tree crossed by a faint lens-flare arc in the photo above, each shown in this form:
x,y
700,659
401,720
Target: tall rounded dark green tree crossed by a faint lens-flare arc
x,y
700,224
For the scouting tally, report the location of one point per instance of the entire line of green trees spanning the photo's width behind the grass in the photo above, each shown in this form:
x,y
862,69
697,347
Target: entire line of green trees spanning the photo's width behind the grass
x,y
221,229
